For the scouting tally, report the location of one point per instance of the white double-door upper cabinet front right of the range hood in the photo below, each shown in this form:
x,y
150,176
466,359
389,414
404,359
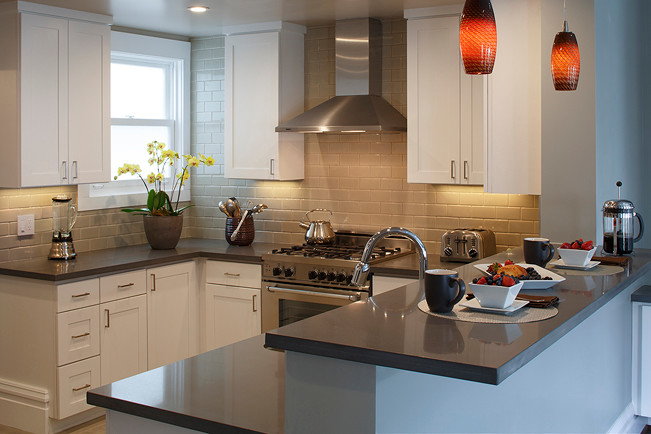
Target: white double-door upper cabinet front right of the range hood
x,y
446,107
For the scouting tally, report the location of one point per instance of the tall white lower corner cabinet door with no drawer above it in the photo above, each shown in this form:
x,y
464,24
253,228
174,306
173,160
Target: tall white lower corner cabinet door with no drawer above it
x,y
172,314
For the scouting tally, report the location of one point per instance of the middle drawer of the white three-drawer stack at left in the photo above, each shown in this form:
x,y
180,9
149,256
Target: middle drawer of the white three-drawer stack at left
x,y
77,334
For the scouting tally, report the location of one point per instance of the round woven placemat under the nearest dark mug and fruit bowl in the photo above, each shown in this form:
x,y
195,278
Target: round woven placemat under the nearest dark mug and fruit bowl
x,y
525,314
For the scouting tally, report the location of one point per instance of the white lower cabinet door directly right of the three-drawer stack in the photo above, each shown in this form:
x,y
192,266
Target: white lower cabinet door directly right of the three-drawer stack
x,y
123,338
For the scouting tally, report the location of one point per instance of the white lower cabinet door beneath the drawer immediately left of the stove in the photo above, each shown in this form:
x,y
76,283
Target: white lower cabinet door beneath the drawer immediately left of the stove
x,y
232,314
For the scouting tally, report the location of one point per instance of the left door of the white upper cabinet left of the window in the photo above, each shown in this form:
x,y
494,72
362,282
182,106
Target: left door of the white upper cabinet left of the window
x,y
43,100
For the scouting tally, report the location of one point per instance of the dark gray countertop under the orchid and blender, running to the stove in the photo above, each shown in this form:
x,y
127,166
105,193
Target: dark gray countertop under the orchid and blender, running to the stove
x,y
133,257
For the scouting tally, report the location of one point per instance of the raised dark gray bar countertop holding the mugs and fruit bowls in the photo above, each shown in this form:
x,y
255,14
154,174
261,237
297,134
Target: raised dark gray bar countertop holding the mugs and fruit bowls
x,y
391,330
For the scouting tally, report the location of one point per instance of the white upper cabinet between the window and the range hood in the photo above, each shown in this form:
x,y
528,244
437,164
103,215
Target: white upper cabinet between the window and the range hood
x,y
264,85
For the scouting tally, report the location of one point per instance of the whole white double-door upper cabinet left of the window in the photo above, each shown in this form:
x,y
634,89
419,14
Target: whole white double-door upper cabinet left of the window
x,y
55,114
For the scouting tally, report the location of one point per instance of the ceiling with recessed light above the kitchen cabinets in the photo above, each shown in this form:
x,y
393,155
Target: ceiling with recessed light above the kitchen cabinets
x,y
172,16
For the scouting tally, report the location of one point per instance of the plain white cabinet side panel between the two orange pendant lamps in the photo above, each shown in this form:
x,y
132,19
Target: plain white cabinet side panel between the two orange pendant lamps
x,y
513,155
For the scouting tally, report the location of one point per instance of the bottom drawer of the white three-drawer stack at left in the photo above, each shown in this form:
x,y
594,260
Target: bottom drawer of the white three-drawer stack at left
x,y
73,381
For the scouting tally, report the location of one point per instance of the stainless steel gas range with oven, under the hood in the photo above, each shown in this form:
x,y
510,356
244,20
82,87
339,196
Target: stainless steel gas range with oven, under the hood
x,y
302,281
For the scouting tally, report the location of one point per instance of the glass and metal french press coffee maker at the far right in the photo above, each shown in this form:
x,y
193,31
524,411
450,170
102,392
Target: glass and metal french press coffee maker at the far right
x,y
618,225
